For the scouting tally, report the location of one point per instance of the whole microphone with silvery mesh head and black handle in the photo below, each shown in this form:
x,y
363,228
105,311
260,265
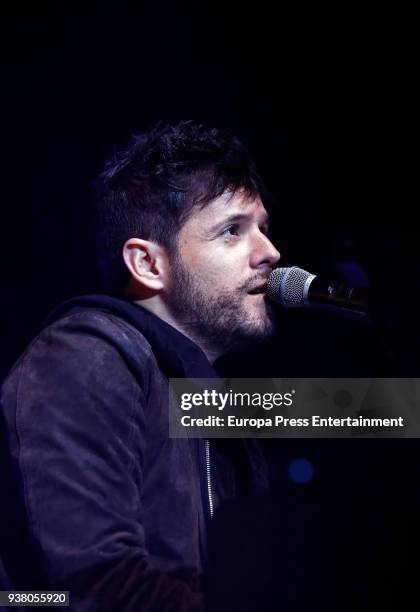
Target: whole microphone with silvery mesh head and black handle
x,y
296,288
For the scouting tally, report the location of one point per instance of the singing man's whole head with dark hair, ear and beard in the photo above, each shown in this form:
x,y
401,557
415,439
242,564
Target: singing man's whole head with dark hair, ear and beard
x,y
181,229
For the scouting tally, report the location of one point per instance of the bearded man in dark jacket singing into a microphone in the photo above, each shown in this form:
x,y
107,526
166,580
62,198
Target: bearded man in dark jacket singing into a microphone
x,y
106,505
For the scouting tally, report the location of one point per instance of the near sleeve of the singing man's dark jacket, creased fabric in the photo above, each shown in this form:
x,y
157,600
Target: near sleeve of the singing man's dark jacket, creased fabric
x,y
80,434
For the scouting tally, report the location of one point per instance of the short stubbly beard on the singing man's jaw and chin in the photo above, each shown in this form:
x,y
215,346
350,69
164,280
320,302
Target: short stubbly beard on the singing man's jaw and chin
x,y
219,321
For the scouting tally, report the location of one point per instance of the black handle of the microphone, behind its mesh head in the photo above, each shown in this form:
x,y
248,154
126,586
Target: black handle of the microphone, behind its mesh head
x,y
328,293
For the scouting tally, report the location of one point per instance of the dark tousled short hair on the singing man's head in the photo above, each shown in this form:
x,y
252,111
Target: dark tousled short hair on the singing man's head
x,y
149,189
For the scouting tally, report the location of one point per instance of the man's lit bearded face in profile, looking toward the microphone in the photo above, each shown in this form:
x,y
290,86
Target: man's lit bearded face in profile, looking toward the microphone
x,y
224,257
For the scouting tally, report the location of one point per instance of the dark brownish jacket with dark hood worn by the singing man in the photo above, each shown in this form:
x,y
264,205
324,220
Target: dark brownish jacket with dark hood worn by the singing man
x,y
101,501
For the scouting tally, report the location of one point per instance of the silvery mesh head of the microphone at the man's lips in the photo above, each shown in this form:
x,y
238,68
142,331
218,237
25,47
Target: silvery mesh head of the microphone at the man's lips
x,y
288,286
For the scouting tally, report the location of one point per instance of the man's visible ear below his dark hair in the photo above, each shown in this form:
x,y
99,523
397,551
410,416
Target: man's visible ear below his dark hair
x,y
147,262
